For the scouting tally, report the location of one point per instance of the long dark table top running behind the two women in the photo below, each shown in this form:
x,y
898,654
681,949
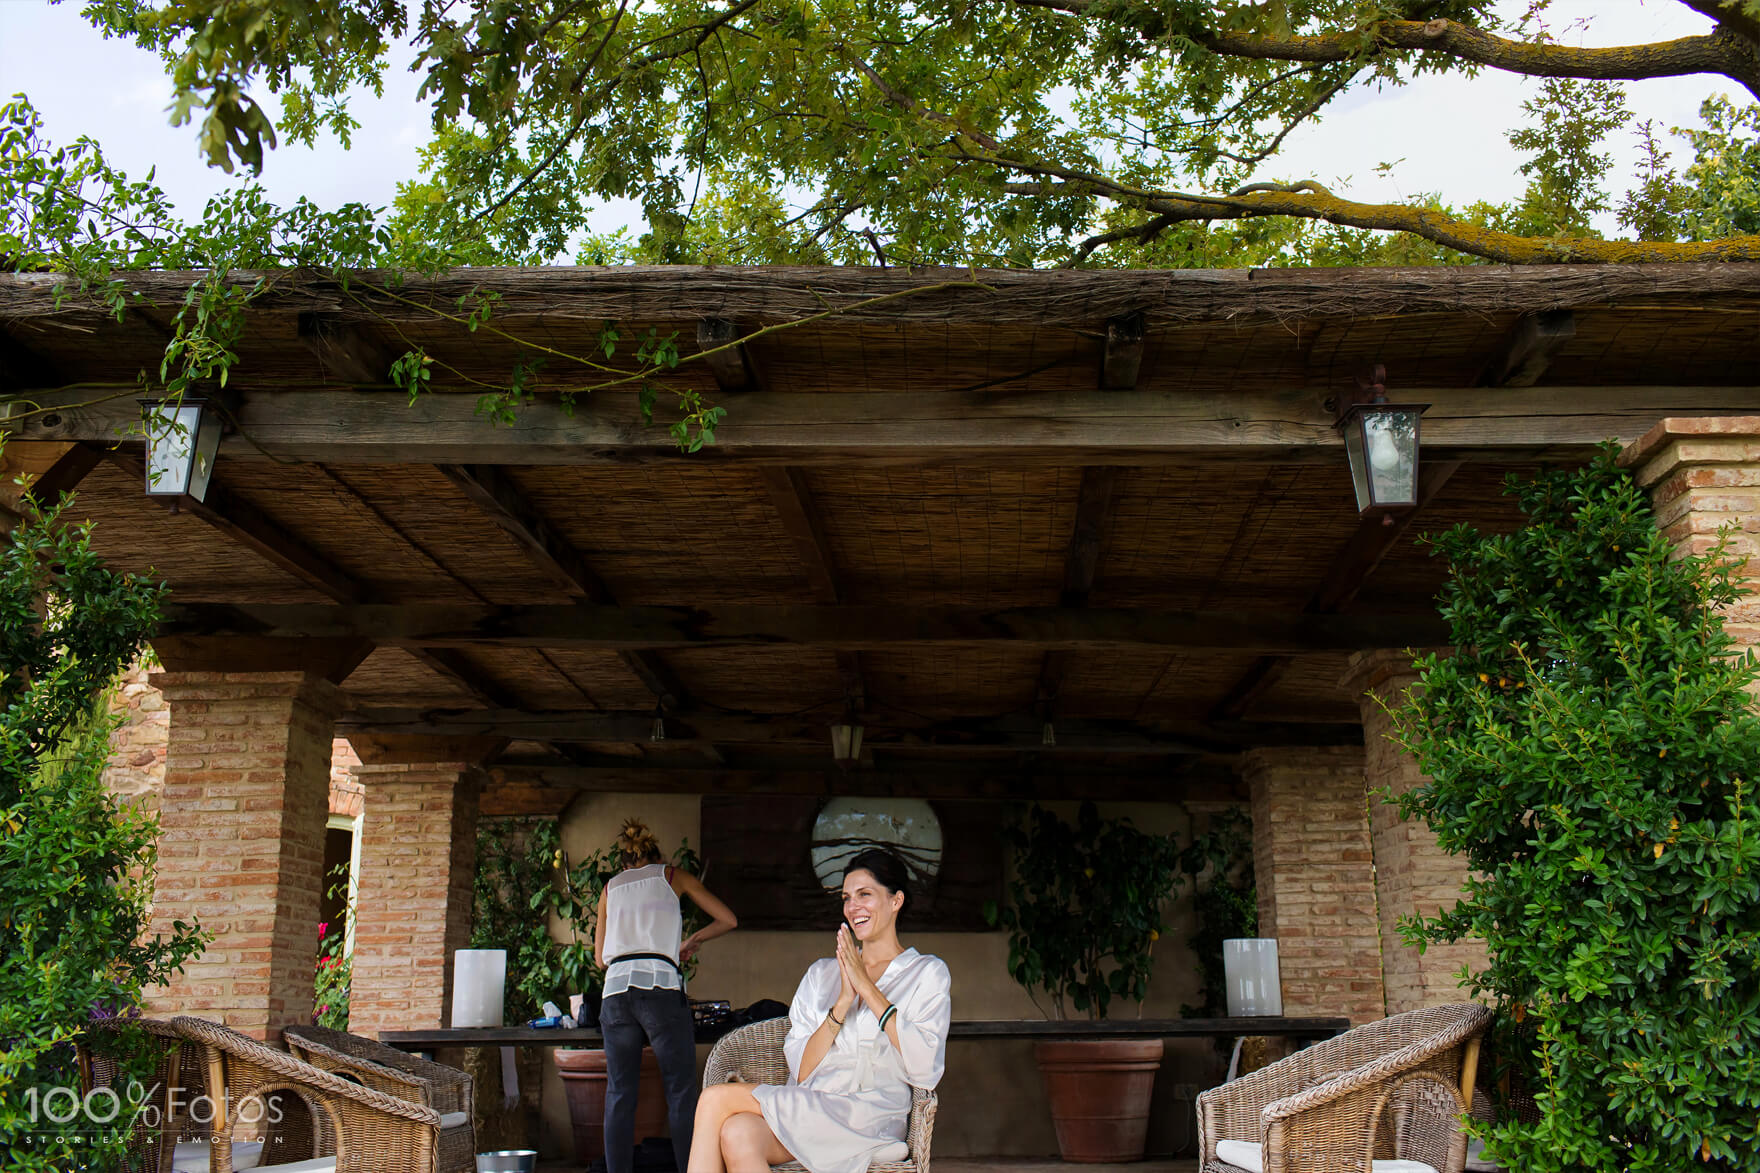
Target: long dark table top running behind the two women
x,y
979,1029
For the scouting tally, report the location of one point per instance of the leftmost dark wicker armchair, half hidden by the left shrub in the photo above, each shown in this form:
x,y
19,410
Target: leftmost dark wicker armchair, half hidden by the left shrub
x,y
177,1077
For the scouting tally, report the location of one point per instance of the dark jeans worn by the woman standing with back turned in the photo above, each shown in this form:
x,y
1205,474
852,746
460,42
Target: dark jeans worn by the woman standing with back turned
x,y
661,1019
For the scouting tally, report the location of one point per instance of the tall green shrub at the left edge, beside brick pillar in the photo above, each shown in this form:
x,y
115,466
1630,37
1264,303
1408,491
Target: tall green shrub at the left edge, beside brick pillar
x,y
75,864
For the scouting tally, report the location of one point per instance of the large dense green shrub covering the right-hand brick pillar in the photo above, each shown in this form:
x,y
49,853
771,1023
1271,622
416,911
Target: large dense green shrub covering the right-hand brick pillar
x,y
1594,753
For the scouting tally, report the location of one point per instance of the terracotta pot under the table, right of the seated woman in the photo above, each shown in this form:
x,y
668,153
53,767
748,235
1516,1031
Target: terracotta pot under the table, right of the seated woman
x,y
1099,1093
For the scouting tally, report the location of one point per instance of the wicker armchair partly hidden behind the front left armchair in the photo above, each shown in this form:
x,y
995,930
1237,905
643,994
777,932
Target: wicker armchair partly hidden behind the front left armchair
x,y
399,1073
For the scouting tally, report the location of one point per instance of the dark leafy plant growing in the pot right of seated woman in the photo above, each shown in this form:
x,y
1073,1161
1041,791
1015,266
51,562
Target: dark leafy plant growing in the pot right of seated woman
x,y
1085,906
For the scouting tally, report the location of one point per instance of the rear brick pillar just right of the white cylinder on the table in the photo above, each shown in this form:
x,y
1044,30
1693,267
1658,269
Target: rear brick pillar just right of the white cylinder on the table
x,y
1316,880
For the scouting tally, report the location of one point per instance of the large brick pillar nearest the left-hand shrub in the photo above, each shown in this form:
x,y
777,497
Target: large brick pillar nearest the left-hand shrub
x,y
242,841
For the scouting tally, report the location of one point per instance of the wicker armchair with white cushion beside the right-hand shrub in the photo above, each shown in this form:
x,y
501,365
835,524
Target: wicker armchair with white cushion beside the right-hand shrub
x,y
1386,1091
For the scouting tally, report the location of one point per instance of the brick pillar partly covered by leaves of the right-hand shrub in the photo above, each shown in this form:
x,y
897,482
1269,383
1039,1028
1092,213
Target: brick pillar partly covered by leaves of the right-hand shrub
x,y
1412,874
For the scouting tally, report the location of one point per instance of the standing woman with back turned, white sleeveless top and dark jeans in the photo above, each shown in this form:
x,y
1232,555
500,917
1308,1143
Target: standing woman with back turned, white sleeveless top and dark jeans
x,y
638,945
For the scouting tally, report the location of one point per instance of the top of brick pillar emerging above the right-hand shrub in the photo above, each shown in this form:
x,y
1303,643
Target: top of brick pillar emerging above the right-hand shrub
x,y
1705,475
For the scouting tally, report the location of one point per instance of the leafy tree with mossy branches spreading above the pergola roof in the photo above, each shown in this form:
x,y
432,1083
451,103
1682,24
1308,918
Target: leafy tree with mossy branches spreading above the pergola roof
x,y
941,131
